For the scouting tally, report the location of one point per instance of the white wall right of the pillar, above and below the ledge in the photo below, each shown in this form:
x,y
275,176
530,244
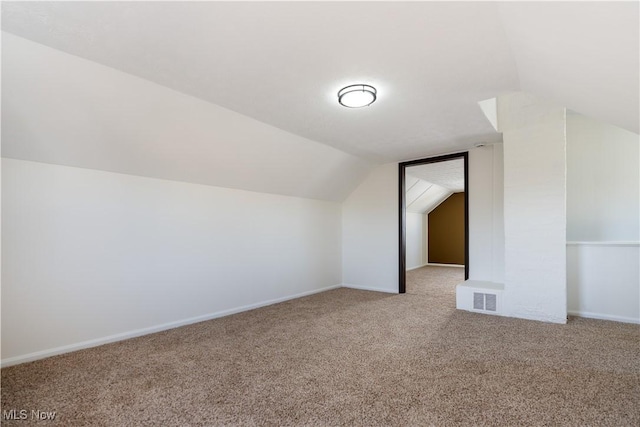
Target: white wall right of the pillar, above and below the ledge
x,y
603,216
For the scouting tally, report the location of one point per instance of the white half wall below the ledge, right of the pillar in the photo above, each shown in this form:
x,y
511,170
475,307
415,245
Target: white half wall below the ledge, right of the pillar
x,y
603,280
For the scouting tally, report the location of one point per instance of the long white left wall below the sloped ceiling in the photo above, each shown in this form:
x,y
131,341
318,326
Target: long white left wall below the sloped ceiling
x,y
91,256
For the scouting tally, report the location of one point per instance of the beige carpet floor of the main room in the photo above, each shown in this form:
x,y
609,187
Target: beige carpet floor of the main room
x,y
346,357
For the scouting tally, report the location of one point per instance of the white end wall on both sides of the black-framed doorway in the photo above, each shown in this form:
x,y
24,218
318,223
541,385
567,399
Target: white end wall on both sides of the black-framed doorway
x,y
370,225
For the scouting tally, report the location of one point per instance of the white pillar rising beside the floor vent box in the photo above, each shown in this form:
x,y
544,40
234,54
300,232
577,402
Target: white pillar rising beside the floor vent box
x,y
534,208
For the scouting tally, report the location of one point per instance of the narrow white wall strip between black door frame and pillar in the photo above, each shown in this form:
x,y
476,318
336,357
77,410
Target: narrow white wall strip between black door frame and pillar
x,y
486,223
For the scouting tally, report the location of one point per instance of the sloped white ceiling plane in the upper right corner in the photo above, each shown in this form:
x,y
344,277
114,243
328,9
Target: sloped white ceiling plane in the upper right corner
x,y
582,55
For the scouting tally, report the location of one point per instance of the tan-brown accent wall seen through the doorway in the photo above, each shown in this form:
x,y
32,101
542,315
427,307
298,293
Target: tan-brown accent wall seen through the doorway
x,y
446,231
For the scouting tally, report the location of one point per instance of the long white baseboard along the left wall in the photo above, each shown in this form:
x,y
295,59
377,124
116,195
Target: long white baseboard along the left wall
x,y
150,330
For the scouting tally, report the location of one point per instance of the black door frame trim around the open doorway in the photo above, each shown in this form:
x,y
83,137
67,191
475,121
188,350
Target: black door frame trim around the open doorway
x,y
402,285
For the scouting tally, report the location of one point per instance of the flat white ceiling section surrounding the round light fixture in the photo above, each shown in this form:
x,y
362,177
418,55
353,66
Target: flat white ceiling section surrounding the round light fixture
x,y
282,63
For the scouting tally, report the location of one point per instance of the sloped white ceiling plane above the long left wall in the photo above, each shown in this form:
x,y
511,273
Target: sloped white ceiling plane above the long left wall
x,y
61,109
